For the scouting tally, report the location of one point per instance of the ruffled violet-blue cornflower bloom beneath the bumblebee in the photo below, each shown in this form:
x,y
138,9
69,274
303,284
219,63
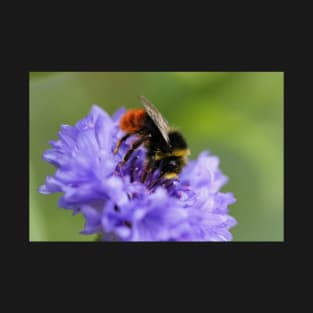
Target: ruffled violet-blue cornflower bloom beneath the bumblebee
x,y
116,205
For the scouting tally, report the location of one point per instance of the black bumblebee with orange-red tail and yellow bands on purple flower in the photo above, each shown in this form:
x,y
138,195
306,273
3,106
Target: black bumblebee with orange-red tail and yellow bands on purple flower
x,y
167,149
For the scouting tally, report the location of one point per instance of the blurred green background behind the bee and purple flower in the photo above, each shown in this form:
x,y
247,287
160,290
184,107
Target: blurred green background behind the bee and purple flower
x,y
237,116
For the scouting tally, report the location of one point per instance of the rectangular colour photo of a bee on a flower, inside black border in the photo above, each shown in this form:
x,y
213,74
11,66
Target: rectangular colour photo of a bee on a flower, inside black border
x,y
156,156
